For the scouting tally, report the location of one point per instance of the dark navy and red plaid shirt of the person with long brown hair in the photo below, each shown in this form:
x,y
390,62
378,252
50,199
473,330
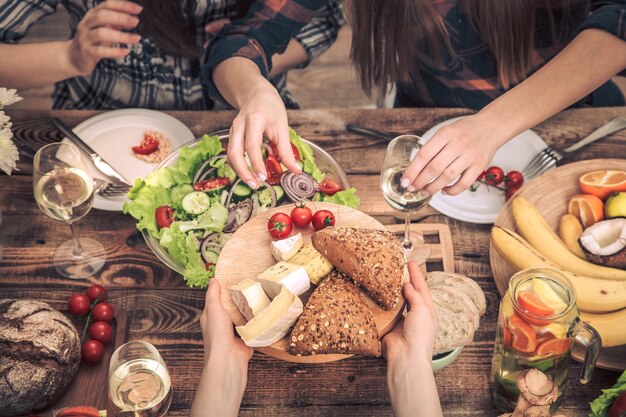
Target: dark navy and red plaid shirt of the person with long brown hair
x,y
467,79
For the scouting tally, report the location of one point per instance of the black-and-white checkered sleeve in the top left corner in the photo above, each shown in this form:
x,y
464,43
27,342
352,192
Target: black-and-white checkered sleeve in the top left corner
x,y
17,16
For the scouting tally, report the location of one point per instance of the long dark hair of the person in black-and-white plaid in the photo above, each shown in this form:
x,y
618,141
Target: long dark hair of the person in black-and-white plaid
x,y
170,28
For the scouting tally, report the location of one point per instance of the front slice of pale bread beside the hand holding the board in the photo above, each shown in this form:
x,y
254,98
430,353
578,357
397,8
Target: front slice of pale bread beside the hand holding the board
x,y
456,319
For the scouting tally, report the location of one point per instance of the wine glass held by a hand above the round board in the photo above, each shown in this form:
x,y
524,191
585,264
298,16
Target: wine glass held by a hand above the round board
x,y
400,152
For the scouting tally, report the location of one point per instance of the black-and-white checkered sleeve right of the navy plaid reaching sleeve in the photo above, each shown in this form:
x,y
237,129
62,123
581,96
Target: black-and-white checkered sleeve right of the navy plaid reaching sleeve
x,y
321,31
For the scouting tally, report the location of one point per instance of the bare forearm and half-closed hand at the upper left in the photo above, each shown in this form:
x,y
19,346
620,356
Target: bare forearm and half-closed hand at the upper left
x,y
43,63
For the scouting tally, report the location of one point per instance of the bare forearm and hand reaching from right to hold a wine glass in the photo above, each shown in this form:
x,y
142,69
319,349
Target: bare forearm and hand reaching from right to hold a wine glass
x,y
467,146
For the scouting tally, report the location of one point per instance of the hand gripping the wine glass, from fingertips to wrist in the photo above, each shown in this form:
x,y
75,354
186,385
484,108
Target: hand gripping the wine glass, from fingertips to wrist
x,y
463,148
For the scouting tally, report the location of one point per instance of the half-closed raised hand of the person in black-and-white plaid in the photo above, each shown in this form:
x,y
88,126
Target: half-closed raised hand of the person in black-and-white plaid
x,y
100,32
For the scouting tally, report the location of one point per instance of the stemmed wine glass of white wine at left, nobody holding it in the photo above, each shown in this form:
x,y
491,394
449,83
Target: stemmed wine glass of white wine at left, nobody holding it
x,y
63,190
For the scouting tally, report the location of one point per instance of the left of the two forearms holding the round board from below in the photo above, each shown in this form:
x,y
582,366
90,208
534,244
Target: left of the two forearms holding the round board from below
x,y
224,375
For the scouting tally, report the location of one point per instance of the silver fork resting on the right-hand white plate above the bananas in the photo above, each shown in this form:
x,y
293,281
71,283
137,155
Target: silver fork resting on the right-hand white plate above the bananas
x,y
548,157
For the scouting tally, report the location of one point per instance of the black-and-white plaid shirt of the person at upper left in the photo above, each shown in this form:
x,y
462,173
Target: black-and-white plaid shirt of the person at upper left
x,y
147,77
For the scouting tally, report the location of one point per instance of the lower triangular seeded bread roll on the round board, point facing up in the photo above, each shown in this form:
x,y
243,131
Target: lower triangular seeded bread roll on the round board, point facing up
x,y
335,320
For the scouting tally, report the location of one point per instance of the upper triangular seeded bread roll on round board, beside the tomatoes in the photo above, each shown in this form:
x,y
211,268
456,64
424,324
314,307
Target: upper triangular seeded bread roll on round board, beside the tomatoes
x,y
372,258
